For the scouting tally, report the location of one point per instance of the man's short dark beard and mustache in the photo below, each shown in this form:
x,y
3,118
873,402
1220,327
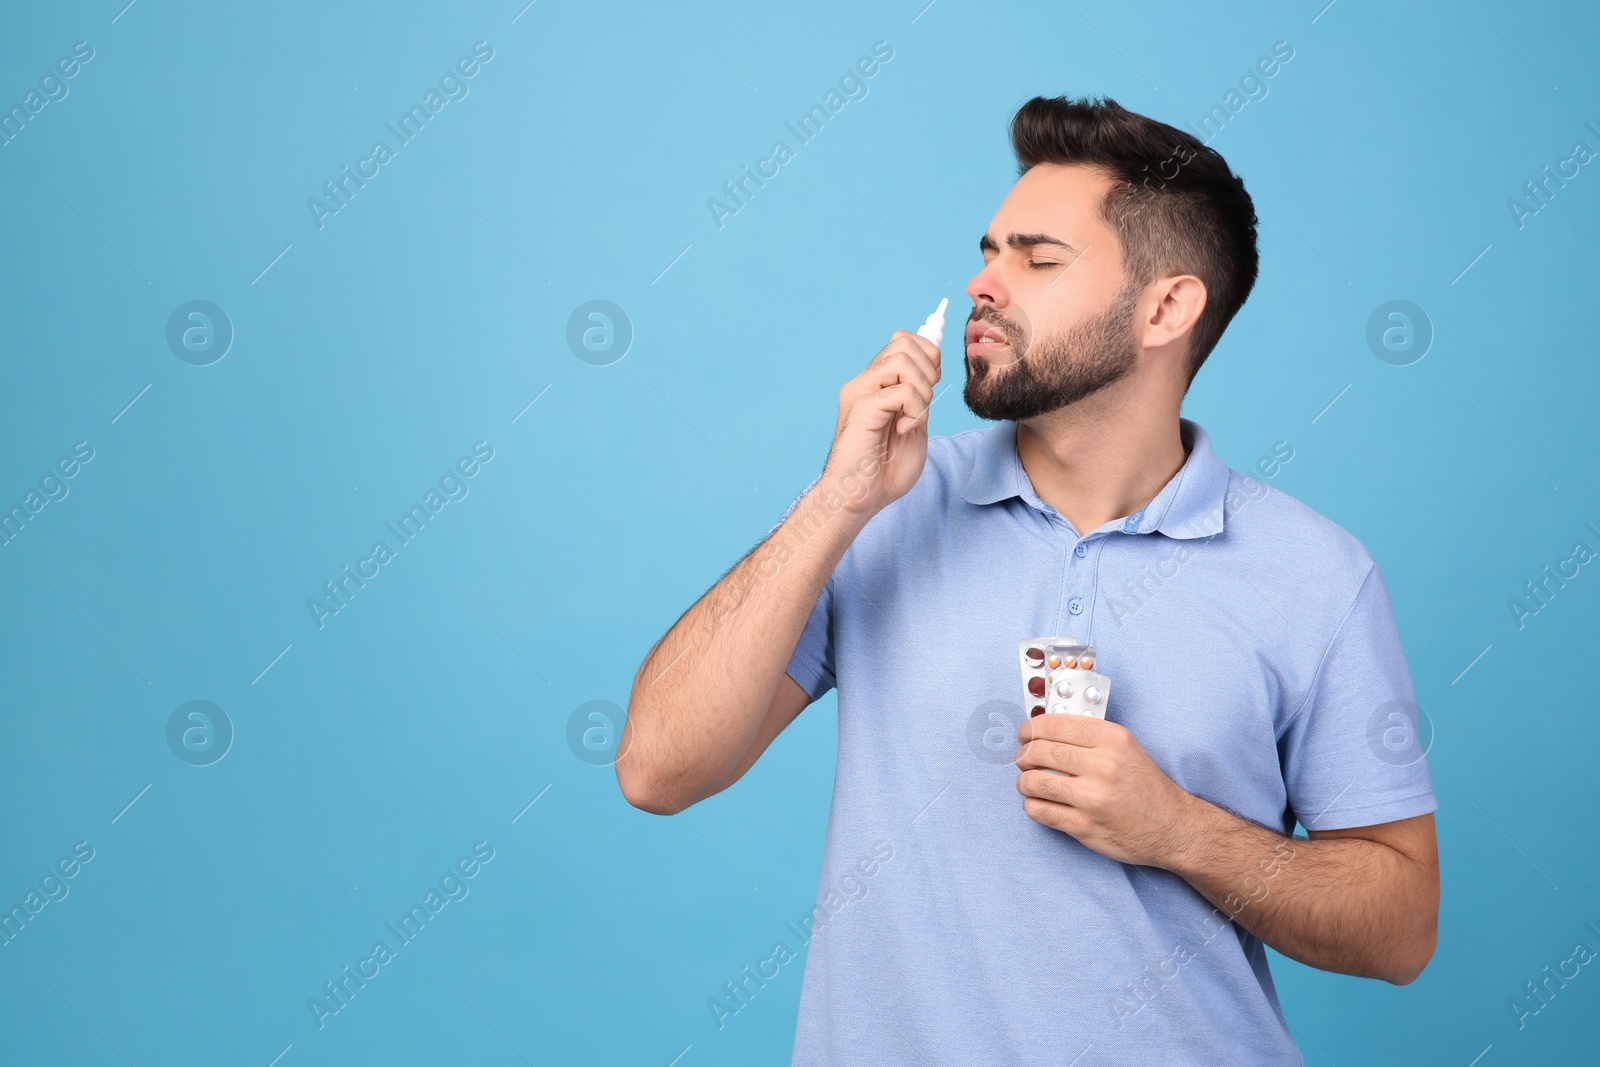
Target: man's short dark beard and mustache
x,y
1057,370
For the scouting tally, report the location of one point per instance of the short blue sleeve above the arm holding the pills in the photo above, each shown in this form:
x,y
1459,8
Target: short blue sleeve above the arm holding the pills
x,y
1356,751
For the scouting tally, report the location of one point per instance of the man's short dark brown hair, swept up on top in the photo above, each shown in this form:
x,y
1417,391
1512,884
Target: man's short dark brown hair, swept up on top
x,y
1177,207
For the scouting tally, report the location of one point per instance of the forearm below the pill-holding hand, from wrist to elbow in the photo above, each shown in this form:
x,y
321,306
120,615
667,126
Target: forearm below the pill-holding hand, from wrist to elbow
x,y
1338,905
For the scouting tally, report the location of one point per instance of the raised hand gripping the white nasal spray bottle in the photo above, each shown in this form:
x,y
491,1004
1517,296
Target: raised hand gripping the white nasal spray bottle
x,y
881,442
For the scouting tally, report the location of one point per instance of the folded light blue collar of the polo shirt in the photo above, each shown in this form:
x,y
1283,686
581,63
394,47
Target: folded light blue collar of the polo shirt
x,y
1190,506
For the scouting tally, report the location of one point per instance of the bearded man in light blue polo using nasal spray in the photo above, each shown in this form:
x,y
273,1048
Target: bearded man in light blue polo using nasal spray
x,y
1111,892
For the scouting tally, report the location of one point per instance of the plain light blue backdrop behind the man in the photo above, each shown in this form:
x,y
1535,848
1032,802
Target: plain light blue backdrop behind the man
x,y
433,709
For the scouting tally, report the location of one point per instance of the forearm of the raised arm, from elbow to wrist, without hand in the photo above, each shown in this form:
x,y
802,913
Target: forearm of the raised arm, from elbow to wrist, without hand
x,y
703,692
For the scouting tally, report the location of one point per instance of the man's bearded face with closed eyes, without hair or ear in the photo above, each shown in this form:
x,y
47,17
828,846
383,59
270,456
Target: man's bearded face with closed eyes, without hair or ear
x,y
1052,316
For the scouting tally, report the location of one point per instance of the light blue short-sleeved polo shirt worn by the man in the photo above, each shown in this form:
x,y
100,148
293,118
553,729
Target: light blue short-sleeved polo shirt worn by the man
x,y
1254,653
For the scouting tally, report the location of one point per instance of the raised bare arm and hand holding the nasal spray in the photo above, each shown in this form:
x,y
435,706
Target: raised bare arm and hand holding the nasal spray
x,y
713,693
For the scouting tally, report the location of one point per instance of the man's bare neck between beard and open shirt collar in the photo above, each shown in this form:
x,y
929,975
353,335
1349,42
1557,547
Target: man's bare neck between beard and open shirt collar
x,y
1100,463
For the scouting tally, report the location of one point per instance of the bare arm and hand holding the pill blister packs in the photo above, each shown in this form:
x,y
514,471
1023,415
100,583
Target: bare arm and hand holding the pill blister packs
x,y
1361,901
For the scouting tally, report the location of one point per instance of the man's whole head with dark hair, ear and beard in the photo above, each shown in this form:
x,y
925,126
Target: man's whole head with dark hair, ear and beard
x,y
1124,249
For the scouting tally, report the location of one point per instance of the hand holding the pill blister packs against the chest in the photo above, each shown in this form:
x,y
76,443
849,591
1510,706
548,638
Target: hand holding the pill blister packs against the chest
x,y
1118,802
